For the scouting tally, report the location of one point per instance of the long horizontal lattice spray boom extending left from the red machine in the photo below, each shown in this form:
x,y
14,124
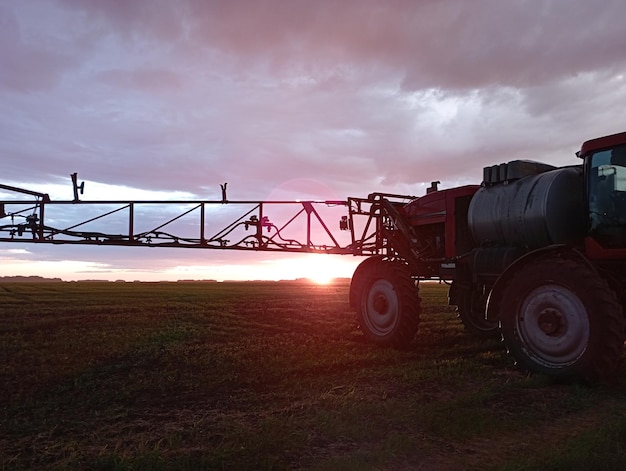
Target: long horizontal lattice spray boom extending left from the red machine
x,y
257,225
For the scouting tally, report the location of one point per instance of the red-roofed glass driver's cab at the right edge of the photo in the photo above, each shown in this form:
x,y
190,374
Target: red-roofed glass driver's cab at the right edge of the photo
x,y
605,163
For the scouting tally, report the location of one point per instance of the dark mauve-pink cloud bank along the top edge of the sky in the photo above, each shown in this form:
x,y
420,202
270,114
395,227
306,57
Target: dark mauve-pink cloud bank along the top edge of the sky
x,y
432,44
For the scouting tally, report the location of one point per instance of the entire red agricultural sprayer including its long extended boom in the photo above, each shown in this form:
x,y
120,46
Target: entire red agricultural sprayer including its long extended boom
x,y
535,254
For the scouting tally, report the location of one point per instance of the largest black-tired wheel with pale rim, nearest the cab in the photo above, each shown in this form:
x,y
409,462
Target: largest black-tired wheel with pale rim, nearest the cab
x,y
560,318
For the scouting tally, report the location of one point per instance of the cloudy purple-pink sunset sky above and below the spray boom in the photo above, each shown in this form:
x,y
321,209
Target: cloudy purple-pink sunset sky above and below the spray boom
x,y
160,99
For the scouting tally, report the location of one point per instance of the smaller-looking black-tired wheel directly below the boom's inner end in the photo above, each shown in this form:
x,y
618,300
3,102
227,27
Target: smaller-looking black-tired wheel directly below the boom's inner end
x,y
388,304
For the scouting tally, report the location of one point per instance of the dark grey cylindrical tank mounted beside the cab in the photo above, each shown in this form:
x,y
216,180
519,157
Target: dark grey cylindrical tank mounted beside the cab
x,y
534,211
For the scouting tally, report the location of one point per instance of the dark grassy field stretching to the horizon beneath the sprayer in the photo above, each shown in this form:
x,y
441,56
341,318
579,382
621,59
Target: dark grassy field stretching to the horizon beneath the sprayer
x,y
275,376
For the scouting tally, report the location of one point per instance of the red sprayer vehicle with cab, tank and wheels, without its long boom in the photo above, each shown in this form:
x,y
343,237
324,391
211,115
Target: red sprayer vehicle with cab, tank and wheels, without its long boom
x,y
536,254
